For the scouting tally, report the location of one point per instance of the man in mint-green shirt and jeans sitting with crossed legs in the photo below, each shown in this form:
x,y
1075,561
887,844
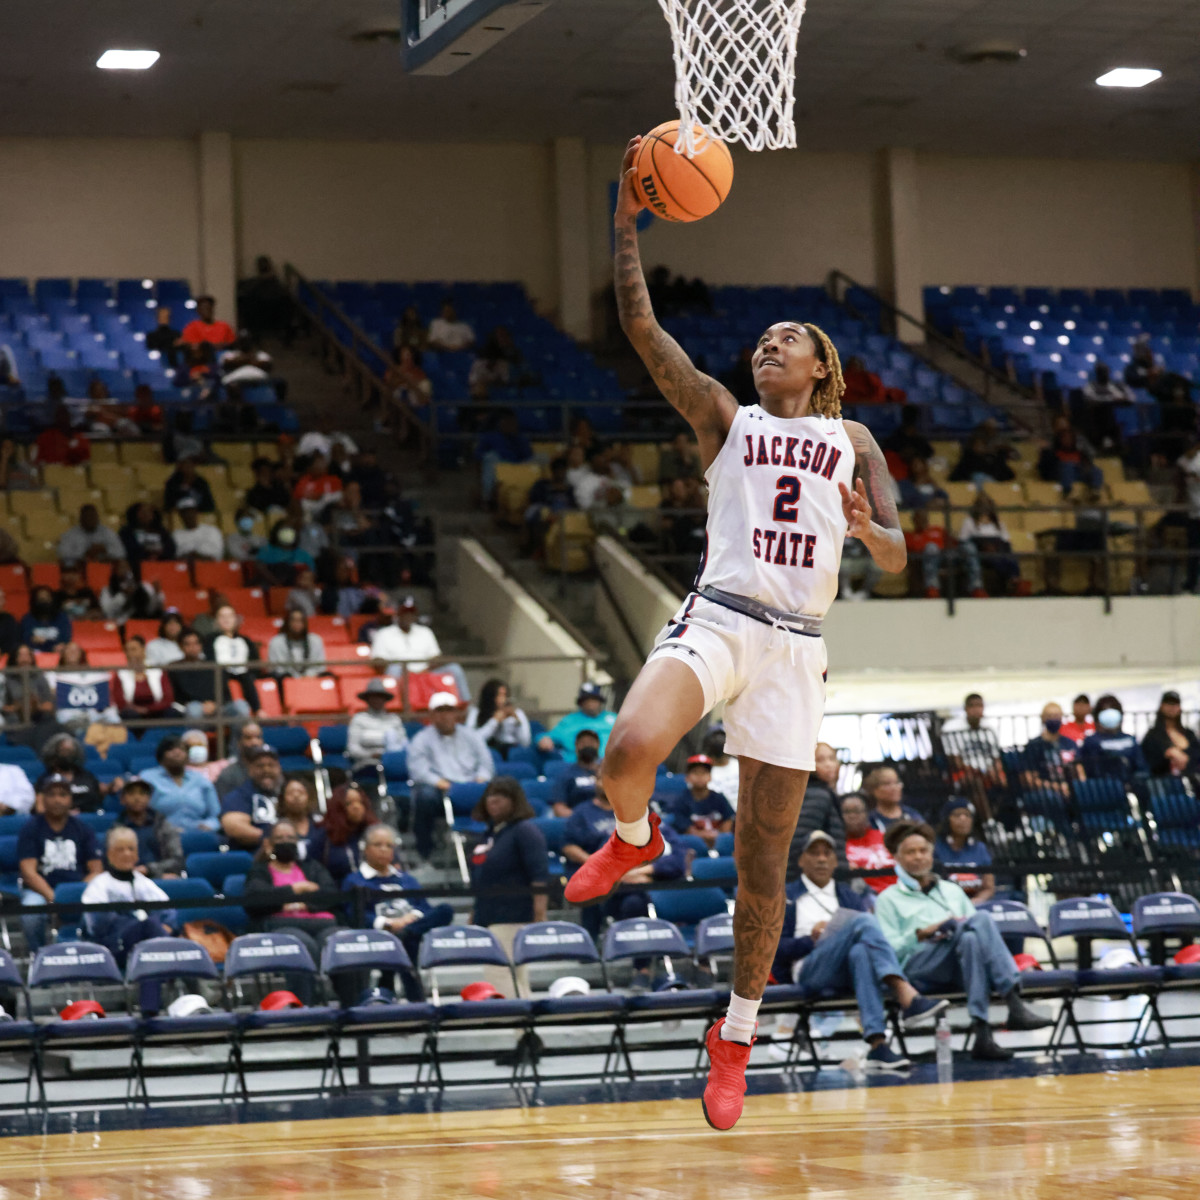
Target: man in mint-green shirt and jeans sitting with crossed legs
x,y
945,944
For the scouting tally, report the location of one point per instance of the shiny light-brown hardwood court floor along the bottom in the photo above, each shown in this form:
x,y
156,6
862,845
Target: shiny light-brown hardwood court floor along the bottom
x,y
1129,1136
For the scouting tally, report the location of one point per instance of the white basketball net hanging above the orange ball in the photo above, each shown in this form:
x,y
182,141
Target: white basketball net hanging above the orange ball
x,y
735,71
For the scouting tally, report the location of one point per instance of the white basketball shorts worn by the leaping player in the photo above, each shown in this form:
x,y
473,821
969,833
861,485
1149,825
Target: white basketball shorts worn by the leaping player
x,y
773,681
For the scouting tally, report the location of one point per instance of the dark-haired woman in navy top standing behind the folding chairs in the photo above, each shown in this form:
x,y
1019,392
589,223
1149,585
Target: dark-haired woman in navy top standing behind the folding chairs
x,y
511,855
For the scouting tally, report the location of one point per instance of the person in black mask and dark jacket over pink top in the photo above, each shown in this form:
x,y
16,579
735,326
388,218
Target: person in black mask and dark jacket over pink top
x,y
278,885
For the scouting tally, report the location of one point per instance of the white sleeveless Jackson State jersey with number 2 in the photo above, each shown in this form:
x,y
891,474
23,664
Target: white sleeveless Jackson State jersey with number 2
x,y
776,529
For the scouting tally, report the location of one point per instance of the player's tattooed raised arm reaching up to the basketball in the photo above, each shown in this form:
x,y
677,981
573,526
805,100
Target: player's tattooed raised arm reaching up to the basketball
x,y
707,406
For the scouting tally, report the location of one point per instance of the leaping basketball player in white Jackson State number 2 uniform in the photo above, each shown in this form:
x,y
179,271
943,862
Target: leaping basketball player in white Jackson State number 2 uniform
x,y
789,481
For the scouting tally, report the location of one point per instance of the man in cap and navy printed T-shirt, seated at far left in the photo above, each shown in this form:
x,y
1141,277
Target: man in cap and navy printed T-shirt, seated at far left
x,y
53,848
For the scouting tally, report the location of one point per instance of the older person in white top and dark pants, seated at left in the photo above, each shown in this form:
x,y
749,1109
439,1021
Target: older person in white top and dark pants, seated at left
x,y
123,884
